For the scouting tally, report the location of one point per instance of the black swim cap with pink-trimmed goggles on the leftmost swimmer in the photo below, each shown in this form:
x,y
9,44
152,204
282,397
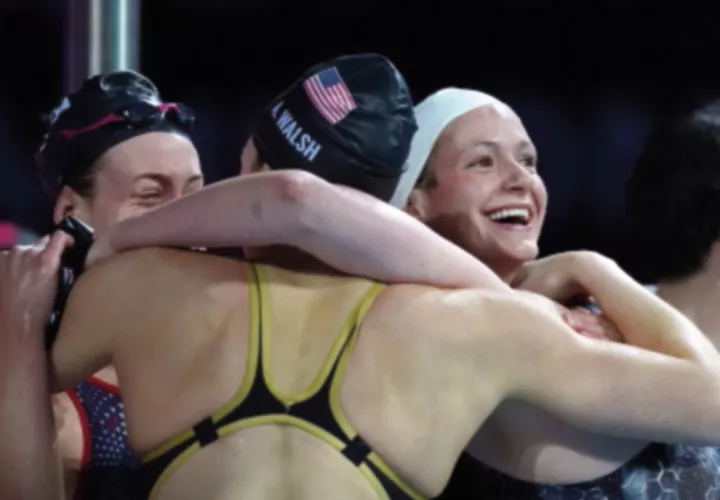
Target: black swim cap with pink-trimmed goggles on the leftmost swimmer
x,y
108,109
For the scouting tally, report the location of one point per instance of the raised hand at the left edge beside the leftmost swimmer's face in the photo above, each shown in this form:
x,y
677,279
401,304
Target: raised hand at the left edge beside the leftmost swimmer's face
x,y
28,280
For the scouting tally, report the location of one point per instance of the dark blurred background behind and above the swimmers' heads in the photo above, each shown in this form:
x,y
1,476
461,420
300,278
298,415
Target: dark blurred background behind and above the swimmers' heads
x,y
586,78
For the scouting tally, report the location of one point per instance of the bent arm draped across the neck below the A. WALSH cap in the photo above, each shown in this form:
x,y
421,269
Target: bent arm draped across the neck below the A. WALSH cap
x,y
348,230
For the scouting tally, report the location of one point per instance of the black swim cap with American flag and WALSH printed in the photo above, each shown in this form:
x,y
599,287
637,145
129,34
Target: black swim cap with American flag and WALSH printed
x,y
349,120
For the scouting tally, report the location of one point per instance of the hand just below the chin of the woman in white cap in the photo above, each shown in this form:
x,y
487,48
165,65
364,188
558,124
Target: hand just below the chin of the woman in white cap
x,y
555,277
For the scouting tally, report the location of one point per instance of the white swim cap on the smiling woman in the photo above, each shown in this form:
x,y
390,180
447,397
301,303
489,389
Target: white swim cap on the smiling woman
x,y
433,115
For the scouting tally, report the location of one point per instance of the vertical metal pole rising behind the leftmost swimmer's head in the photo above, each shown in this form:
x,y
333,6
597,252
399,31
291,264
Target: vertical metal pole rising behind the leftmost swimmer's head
x,y
102,36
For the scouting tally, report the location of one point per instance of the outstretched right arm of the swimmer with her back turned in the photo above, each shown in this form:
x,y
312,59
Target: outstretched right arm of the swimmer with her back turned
x,y
606,387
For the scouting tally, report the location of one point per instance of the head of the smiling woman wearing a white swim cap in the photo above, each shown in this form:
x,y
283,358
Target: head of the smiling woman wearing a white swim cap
x,y
479,186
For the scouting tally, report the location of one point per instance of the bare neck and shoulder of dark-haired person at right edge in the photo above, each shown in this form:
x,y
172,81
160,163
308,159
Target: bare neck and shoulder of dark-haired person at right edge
x,y
697,297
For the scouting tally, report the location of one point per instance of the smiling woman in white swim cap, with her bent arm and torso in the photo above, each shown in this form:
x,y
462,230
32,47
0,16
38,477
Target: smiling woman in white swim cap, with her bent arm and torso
x,y
480,188
